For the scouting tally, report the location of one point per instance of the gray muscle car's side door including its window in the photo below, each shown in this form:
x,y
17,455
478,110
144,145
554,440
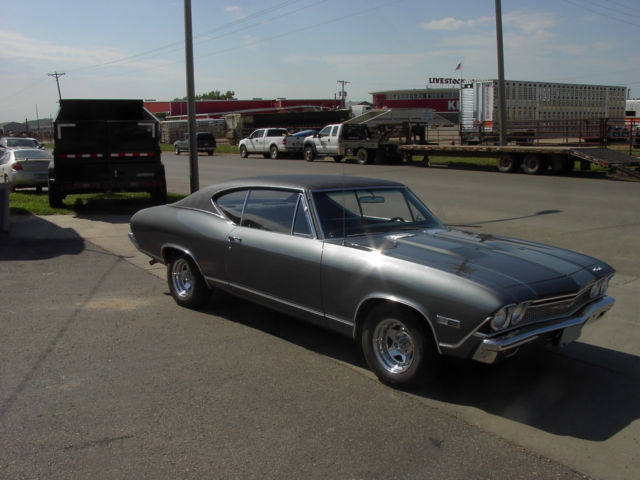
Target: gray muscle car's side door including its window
x,y
274,257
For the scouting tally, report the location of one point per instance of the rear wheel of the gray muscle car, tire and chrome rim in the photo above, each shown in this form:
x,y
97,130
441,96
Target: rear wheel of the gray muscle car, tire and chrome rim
x,y
186,284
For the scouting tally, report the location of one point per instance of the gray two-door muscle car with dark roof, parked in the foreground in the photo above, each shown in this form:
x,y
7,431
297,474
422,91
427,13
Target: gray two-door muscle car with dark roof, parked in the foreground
x,y
366,257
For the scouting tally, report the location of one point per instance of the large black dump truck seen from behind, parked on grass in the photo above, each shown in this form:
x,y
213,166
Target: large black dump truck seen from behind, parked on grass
x,y
106,146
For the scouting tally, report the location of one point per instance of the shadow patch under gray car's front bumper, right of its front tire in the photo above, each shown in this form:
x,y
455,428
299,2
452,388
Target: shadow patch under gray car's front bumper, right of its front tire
x,y
582,391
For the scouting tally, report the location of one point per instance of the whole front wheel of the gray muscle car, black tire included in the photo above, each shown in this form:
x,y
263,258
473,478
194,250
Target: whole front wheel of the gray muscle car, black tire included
x,y
398,347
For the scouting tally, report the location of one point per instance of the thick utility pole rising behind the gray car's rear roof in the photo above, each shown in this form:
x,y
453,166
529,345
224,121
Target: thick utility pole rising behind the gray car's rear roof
x,y
191,103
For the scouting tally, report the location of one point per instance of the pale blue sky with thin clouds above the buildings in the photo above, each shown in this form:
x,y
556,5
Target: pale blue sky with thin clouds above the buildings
x,y
301,48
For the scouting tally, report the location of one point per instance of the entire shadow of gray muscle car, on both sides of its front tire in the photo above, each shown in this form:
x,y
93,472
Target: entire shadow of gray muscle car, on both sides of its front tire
x,y
581,391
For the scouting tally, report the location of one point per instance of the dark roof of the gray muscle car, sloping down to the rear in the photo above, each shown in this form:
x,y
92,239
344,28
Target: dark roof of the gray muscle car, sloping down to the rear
x,y
296,182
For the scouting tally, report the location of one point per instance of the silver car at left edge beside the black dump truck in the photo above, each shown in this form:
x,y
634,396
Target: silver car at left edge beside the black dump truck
x,y
25,167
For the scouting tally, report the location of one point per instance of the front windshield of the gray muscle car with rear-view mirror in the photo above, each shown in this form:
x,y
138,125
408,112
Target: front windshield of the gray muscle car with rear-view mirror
x,y
376,210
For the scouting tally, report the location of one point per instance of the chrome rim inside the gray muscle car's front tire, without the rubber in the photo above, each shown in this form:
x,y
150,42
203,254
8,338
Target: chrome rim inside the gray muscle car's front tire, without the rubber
x,y
393,345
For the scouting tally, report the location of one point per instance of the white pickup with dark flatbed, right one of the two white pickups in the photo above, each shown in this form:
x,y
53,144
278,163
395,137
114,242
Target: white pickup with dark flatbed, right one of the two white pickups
x,y
340,140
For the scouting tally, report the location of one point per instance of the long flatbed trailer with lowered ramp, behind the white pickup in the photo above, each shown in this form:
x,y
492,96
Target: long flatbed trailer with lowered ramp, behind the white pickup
x,y
532,159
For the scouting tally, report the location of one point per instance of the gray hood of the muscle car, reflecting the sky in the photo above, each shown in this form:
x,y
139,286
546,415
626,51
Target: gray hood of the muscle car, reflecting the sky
x,y
523,268
